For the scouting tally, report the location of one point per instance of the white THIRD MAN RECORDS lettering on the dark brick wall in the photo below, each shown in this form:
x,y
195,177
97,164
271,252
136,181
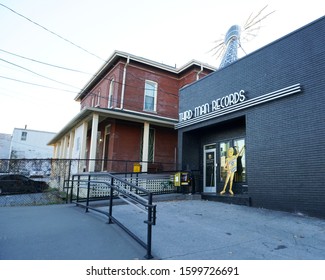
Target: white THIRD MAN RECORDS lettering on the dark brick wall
x,y
215,105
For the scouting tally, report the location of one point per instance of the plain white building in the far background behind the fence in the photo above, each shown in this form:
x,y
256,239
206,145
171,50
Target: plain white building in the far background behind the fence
x,y
30,144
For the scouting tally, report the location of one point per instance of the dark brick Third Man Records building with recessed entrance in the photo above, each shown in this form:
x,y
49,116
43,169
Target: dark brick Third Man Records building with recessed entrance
x,y
273,103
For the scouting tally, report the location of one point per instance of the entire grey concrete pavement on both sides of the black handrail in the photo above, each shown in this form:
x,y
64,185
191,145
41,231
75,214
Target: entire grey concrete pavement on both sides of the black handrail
x,y
185,229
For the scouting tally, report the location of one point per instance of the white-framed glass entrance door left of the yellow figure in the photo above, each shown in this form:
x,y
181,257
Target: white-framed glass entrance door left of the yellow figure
x,y
209,184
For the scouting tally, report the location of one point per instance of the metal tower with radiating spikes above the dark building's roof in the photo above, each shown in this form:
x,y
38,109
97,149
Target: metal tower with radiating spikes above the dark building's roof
x,y
227,48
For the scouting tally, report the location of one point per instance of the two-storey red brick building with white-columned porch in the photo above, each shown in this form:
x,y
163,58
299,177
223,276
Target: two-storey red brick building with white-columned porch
x,y
128,112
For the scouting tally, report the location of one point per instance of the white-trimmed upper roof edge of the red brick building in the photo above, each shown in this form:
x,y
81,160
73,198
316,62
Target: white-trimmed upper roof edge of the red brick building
x,y
118,55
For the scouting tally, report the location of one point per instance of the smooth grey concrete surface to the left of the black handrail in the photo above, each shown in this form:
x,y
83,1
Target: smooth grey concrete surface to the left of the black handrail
x,y
62,232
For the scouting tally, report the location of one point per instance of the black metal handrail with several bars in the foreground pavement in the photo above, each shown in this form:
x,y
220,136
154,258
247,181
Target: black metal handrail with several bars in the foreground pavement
x,y
127,195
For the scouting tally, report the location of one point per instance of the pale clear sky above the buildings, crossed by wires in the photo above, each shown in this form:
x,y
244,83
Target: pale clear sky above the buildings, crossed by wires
x,y
167,31
